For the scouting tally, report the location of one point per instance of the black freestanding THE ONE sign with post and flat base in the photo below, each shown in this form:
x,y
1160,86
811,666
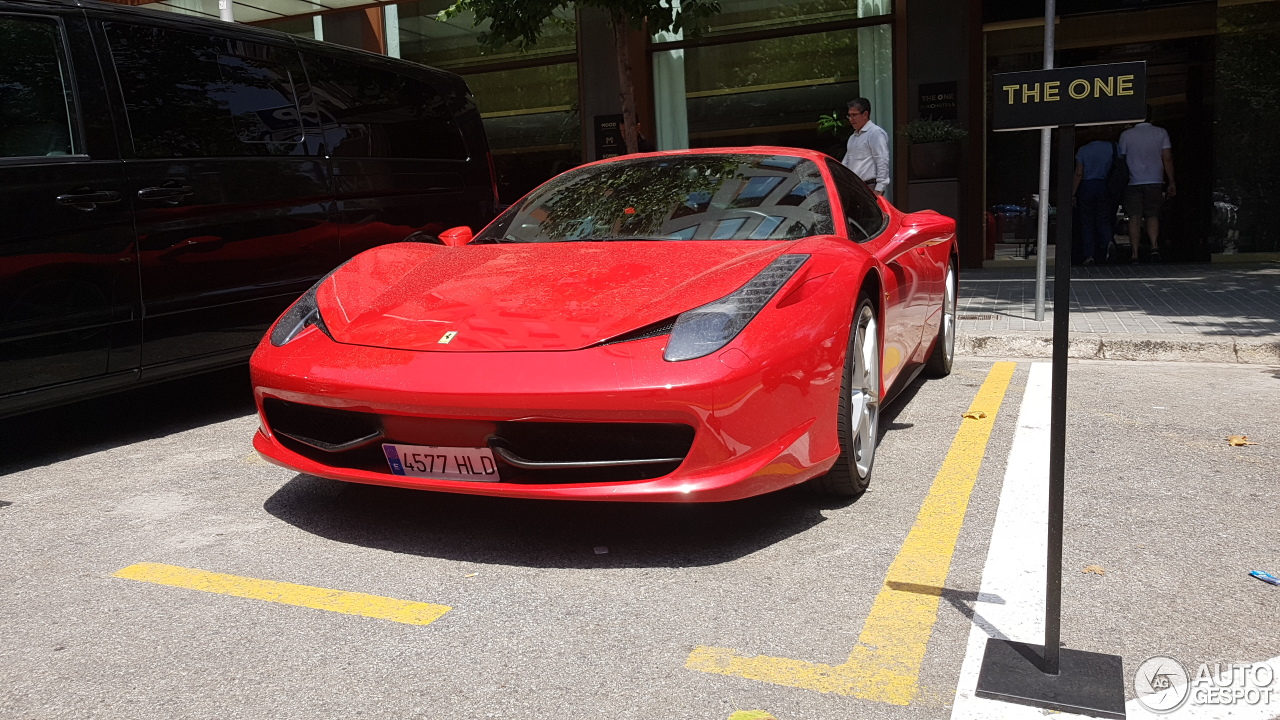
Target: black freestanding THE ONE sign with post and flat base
x,y
1069,681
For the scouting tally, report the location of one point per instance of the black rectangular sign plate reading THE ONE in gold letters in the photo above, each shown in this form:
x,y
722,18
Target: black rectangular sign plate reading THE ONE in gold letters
x,y
1087,95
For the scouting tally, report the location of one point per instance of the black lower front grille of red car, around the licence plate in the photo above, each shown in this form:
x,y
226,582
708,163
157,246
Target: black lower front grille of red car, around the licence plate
x,y
309,430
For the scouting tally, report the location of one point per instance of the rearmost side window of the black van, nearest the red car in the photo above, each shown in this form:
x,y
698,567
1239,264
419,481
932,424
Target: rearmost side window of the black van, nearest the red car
x,y
382,115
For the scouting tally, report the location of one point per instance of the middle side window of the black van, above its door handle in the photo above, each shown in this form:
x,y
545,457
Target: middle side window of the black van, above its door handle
x,y
199,97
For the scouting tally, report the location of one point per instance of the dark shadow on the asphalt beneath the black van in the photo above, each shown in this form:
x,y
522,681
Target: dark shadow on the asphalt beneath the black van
x,y
102,423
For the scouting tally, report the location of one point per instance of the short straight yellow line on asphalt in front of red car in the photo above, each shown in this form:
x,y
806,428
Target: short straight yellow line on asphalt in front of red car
x,y
287,594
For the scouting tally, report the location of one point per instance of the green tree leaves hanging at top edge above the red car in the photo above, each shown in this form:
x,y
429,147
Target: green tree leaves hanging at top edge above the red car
x,y
522,22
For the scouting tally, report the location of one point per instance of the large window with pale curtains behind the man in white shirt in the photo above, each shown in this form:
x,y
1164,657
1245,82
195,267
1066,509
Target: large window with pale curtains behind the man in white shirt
x,y
794,63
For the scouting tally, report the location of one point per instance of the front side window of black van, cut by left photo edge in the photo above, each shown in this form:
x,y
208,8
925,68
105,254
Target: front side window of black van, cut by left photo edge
x,y
38,108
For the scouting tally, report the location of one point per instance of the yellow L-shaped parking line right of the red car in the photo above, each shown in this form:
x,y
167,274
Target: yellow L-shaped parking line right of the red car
x,y
885,666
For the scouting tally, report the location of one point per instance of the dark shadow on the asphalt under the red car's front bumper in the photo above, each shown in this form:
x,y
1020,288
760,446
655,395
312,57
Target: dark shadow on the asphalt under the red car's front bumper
x,y
546,534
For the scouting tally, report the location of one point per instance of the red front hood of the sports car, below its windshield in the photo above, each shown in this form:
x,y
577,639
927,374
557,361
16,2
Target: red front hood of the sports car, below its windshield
x,y
537,297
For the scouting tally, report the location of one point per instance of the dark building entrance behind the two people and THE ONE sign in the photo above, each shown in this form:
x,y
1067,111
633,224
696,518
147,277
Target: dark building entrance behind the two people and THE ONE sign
x,y
1196,71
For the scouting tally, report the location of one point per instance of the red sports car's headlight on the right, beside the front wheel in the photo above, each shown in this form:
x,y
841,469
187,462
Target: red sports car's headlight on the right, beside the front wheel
x,y
706,330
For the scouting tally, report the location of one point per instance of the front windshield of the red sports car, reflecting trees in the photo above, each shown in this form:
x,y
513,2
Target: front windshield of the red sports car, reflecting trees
x,y
769,198
